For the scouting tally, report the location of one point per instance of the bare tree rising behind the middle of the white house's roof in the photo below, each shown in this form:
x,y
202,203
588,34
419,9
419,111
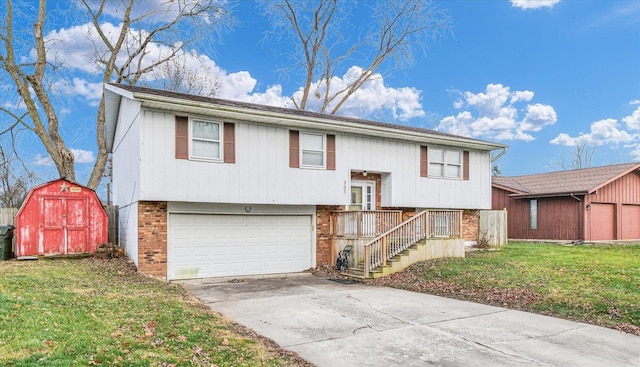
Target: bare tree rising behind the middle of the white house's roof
x,y
317,27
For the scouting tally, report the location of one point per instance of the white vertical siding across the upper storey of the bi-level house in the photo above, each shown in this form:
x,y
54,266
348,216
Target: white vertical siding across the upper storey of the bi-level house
x,y
261,174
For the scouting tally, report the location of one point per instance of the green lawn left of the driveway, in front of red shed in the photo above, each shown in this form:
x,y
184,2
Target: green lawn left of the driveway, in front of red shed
x,y
82,312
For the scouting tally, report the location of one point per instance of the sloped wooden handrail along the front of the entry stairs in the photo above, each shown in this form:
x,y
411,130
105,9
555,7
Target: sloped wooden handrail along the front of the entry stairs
x,y
394,241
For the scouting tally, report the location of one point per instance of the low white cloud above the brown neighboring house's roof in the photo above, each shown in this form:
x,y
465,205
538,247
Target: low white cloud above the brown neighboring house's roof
x,y
602,132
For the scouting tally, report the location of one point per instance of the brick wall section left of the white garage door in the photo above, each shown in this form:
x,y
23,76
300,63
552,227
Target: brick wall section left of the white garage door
x,y
152,238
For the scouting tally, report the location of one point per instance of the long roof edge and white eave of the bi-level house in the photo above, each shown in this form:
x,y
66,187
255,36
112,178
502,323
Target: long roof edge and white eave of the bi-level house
x,y
186,103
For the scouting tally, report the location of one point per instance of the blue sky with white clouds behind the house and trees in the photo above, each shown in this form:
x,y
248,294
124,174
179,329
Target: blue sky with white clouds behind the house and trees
x,y
535,75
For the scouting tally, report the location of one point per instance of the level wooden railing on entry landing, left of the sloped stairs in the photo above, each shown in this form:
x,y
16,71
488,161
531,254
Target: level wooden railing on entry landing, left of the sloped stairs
x,y
369,223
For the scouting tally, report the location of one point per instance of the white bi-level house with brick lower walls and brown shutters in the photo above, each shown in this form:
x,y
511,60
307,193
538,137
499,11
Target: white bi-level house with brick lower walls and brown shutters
x,y
209,187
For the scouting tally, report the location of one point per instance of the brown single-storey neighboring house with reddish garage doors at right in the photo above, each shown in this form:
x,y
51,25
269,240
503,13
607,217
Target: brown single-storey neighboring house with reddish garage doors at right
x,y
590,204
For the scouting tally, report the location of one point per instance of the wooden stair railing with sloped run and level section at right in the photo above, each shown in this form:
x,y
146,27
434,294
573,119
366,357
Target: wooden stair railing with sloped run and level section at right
x,y
426,224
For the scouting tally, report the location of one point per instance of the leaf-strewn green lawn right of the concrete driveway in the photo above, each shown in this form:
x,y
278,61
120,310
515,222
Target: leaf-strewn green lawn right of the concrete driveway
x,y
594,284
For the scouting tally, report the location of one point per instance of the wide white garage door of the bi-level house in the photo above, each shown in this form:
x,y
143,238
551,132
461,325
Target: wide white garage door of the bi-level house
x,y
207,245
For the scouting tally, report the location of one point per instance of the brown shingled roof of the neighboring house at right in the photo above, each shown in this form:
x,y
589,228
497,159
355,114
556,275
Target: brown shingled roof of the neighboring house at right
x,y
577,181
